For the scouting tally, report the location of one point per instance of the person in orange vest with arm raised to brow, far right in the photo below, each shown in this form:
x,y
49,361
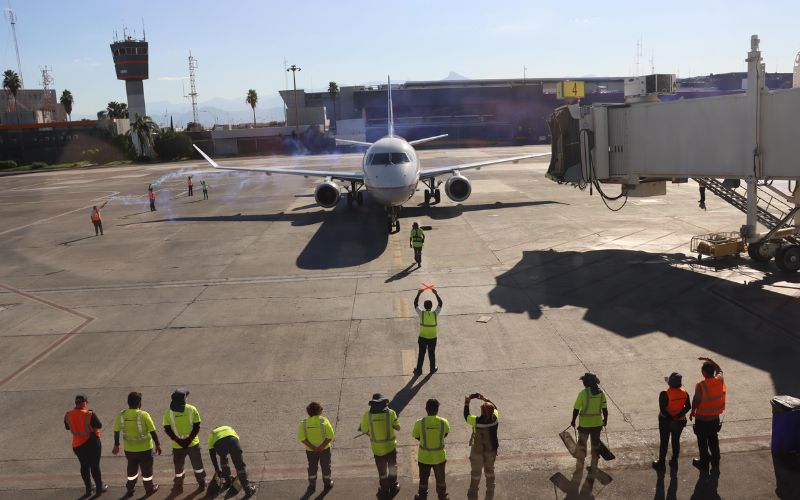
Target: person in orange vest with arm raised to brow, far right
x,y
708,404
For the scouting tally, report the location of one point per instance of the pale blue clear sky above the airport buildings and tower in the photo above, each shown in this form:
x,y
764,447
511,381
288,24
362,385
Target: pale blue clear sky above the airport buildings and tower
x,y
243,44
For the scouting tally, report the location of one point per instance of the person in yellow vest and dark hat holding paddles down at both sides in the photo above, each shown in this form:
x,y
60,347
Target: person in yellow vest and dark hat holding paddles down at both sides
x,y
592,408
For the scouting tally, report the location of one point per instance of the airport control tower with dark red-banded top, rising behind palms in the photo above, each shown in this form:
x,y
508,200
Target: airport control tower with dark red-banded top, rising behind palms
x,y
131,64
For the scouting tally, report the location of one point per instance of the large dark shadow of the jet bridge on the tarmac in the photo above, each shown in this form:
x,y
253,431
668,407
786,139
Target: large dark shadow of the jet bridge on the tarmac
x,y
633,293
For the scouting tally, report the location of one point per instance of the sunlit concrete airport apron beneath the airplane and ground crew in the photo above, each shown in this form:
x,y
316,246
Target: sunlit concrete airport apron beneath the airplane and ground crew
x,y
259,301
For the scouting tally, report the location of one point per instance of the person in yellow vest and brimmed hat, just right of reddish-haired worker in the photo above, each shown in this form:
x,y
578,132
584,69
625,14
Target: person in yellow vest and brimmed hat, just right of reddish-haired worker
x,y
379,423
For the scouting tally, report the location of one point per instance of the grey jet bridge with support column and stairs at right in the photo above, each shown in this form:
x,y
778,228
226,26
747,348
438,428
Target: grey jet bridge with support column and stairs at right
x,y
646,142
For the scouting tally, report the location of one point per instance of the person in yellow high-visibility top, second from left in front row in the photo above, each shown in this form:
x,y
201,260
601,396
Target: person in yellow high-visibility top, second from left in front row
x,y
139,437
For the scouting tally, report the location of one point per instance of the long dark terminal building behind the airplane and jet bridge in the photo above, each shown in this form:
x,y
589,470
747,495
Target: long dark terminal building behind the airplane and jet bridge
x,y
478,112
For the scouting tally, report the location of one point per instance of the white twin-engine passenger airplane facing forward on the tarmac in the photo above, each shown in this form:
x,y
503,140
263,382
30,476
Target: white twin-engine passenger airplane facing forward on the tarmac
x,y
390,172
